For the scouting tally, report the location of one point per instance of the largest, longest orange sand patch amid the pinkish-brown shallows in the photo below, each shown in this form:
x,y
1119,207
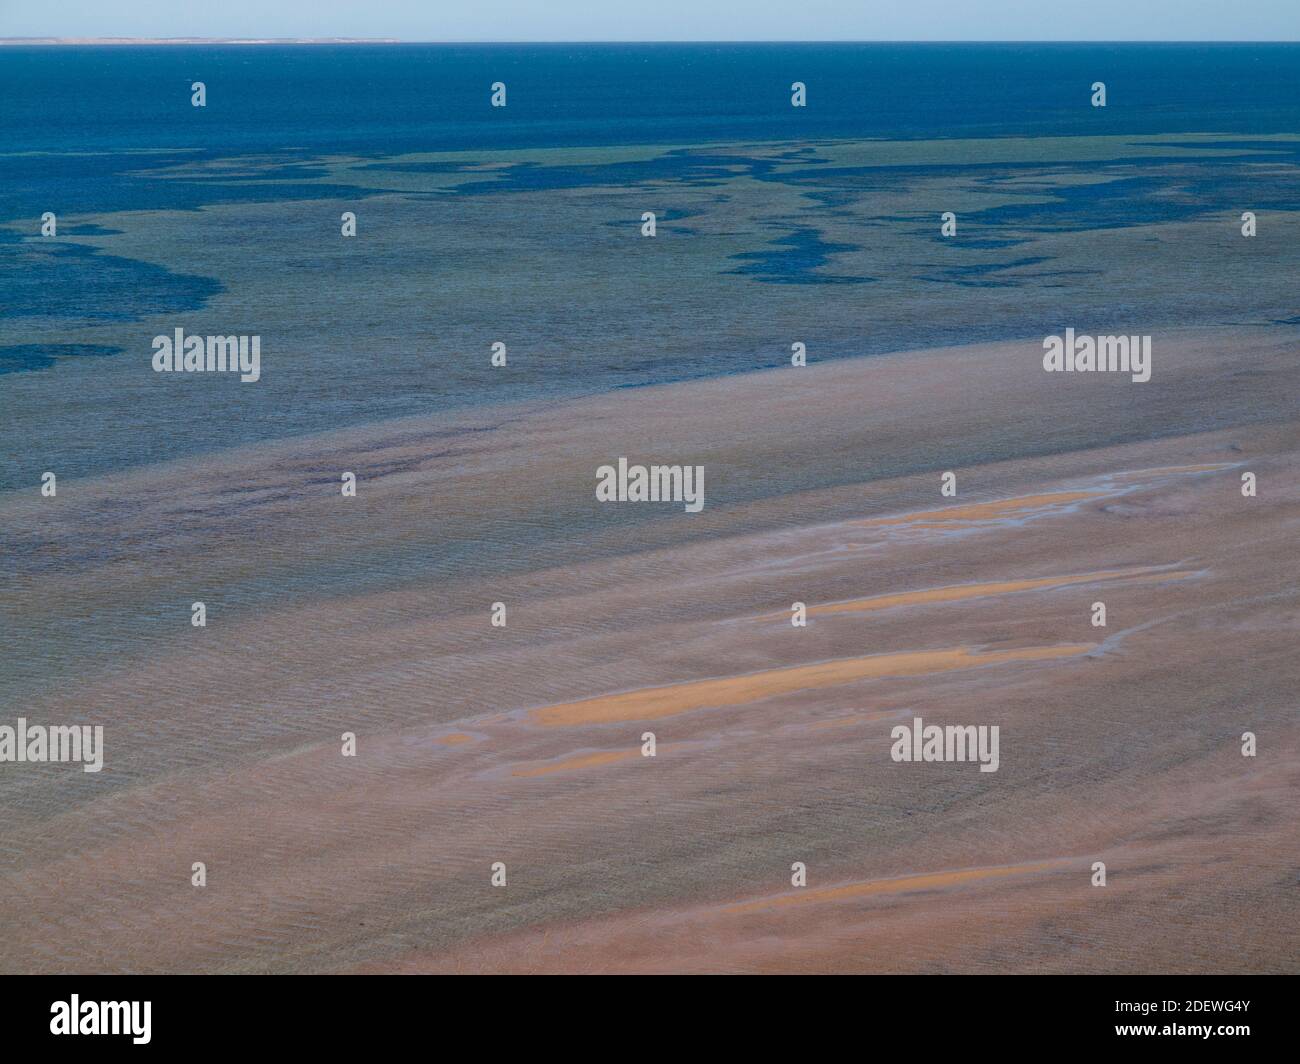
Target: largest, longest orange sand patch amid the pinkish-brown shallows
x,y
652,703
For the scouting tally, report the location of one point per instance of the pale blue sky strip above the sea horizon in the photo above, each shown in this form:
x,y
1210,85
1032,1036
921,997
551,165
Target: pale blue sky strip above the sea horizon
x,y
662,20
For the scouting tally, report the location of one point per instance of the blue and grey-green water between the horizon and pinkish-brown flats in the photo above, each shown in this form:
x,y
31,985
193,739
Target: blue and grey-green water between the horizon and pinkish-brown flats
x,y
90,131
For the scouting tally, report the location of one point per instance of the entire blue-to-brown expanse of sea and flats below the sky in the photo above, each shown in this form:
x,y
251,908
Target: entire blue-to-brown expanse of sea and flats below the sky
x,y
476,716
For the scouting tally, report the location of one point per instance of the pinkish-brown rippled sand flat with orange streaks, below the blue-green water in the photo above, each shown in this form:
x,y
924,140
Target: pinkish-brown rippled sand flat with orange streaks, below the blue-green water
x,y
523,745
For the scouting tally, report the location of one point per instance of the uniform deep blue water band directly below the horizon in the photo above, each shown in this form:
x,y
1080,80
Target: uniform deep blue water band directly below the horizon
x,y
389,100
